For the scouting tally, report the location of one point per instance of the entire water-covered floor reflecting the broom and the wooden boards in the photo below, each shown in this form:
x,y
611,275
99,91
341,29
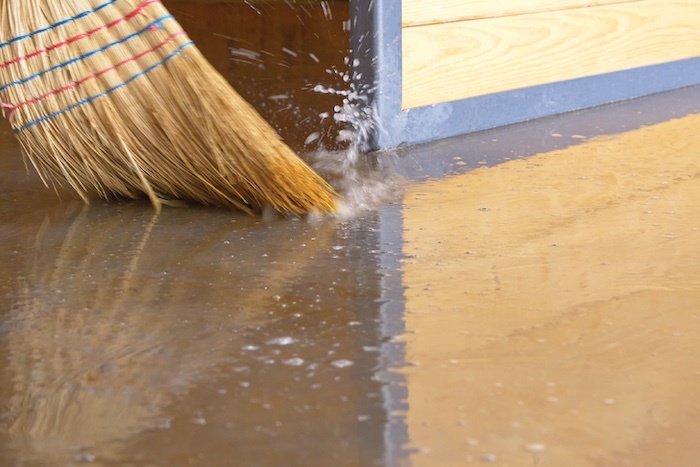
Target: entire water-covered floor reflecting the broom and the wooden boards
x,y
531,298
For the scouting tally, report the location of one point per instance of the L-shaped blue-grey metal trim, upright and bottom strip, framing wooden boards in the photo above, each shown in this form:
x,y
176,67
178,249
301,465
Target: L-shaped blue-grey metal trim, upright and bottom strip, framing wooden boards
x,y
376,46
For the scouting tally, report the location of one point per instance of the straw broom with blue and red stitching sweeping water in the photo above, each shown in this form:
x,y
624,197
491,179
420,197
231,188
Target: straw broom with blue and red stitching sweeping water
x,y
112,98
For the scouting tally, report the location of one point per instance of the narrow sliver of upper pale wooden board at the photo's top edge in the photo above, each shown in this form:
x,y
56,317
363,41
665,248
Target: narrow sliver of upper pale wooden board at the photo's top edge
x,y
420,12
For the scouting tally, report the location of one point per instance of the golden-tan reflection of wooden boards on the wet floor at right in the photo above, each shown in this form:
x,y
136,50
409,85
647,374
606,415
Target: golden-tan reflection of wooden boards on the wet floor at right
x,y
575,316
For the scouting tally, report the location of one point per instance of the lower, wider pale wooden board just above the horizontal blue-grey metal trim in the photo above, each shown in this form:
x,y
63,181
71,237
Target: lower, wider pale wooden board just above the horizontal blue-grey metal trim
x,y
452,61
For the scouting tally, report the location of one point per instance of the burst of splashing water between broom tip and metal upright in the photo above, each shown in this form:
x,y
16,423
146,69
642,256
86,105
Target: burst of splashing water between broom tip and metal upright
x,y
328,115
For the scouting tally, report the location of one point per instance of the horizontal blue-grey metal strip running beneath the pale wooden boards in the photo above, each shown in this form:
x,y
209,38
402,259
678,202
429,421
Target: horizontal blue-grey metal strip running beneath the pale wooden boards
x,y
402,127
